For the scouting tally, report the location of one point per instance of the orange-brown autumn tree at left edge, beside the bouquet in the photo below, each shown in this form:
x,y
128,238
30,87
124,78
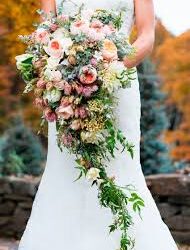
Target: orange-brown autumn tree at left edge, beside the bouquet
x,y
16,17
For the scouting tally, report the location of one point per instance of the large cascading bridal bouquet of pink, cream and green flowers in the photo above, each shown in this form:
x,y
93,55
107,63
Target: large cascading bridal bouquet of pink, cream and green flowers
x,y
73,64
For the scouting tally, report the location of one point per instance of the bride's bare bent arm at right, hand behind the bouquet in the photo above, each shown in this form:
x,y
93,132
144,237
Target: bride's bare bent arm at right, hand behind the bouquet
x,y
145,23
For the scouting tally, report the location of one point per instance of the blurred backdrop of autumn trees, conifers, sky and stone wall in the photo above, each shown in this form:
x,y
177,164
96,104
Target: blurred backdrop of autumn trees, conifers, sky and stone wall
x,y
165,123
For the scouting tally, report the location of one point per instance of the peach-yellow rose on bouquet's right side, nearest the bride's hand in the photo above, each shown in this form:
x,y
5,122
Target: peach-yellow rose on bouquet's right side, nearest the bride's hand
x,y
109,50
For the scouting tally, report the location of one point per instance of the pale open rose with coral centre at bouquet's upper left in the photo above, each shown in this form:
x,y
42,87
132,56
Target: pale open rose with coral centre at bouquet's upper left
x,y
54,49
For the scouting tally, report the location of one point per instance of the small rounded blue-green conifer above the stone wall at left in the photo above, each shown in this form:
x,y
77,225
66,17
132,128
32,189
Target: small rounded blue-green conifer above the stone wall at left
x,y
21,151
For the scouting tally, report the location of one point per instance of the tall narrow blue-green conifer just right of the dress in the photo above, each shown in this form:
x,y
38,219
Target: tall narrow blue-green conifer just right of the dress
x,y
154,152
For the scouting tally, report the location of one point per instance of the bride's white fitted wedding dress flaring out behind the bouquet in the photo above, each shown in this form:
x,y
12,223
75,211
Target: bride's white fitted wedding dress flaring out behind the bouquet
x,y
66,215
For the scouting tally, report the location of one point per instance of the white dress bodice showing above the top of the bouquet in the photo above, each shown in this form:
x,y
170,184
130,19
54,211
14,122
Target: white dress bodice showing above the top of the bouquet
x,y
70,5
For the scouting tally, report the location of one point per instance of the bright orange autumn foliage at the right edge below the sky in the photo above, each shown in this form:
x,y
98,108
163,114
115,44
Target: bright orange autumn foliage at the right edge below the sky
x,y
174,66
